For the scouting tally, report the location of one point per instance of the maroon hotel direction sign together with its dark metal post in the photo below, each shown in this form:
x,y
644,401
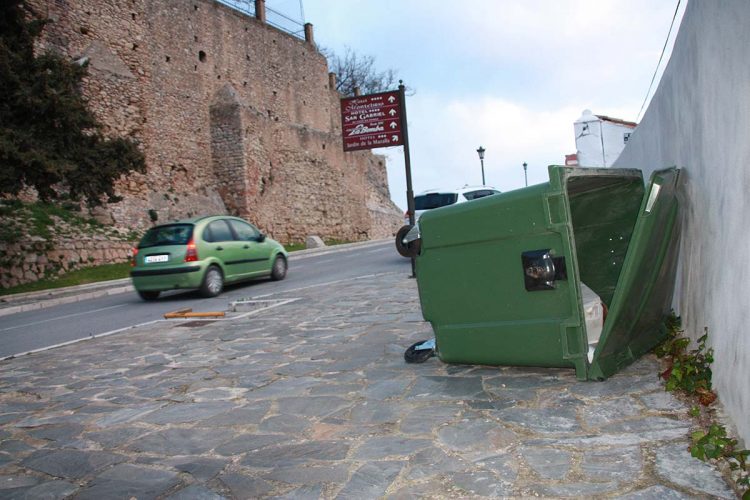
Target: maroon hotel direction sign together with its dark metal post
x,y
379,121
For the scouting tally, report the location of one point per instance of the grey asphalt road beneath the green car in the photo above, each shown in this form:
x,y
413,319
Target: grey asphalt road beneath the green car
x,y
116,314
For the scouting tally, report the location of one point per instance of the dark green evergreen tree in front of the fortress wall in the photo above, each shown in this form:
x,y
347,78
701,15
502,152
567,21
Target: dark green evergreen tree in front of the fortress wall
x,y
49,139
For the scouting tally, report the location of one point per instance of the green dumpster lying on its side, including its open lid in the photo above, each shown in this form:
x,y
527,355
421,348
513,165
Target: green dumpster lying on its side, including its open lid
x,y
577,272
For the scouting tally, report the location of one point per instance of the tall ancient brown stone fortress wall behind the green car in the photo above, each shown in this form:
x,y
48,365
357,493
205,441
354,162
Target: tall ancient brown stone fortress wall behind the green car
x,y
233,116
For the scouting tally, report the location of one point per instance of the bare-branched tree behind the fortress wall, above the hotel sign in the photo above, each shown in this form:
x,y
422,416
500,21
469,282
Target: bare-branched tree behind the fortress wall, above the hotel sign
x,y
353,70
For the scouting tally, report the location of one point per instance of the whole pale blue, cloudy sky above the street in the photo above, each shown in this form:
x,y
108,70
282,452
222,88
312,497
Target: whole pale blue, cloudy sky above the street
x,y
509,75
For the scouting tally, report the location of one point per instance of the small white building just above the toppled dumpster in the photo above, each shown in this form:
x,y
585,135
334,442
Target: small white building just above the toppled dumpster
x,y
600,139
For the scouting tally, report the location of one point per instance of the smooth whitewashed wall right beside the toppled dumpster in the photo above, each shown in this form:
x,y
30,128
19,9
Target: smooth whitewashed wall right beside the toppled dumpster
x,y
699,120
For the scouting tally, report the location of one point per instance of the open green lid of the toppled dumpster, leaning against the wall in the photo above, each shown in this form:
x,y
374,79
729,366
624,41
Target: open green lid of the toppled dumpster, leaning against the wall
x,y
643,295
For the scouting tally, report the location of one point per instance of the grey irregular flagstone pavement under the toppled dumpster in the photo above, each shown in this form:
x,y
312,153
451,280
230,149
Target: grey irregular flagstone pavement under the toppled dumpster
x,y
311,398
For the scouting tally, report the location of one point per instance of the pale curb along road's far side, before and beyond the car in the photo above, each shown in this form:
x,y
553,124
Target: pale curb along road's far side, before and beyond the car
x,y
77,293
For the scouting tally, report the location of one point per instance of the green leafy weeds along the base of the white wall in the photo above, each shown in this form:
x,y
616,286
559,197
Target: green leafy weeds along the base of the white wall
x,y
689,372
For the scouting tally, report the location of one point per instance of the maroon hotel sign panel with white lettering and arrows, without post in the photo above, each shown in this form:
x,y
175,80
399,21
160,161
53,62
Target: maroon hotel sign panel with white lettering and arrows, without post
x,y
371,121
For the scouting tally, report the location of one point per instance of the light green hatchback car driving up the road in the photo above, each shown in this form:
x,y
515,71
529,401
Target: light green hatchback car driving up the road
x,y
204,253
